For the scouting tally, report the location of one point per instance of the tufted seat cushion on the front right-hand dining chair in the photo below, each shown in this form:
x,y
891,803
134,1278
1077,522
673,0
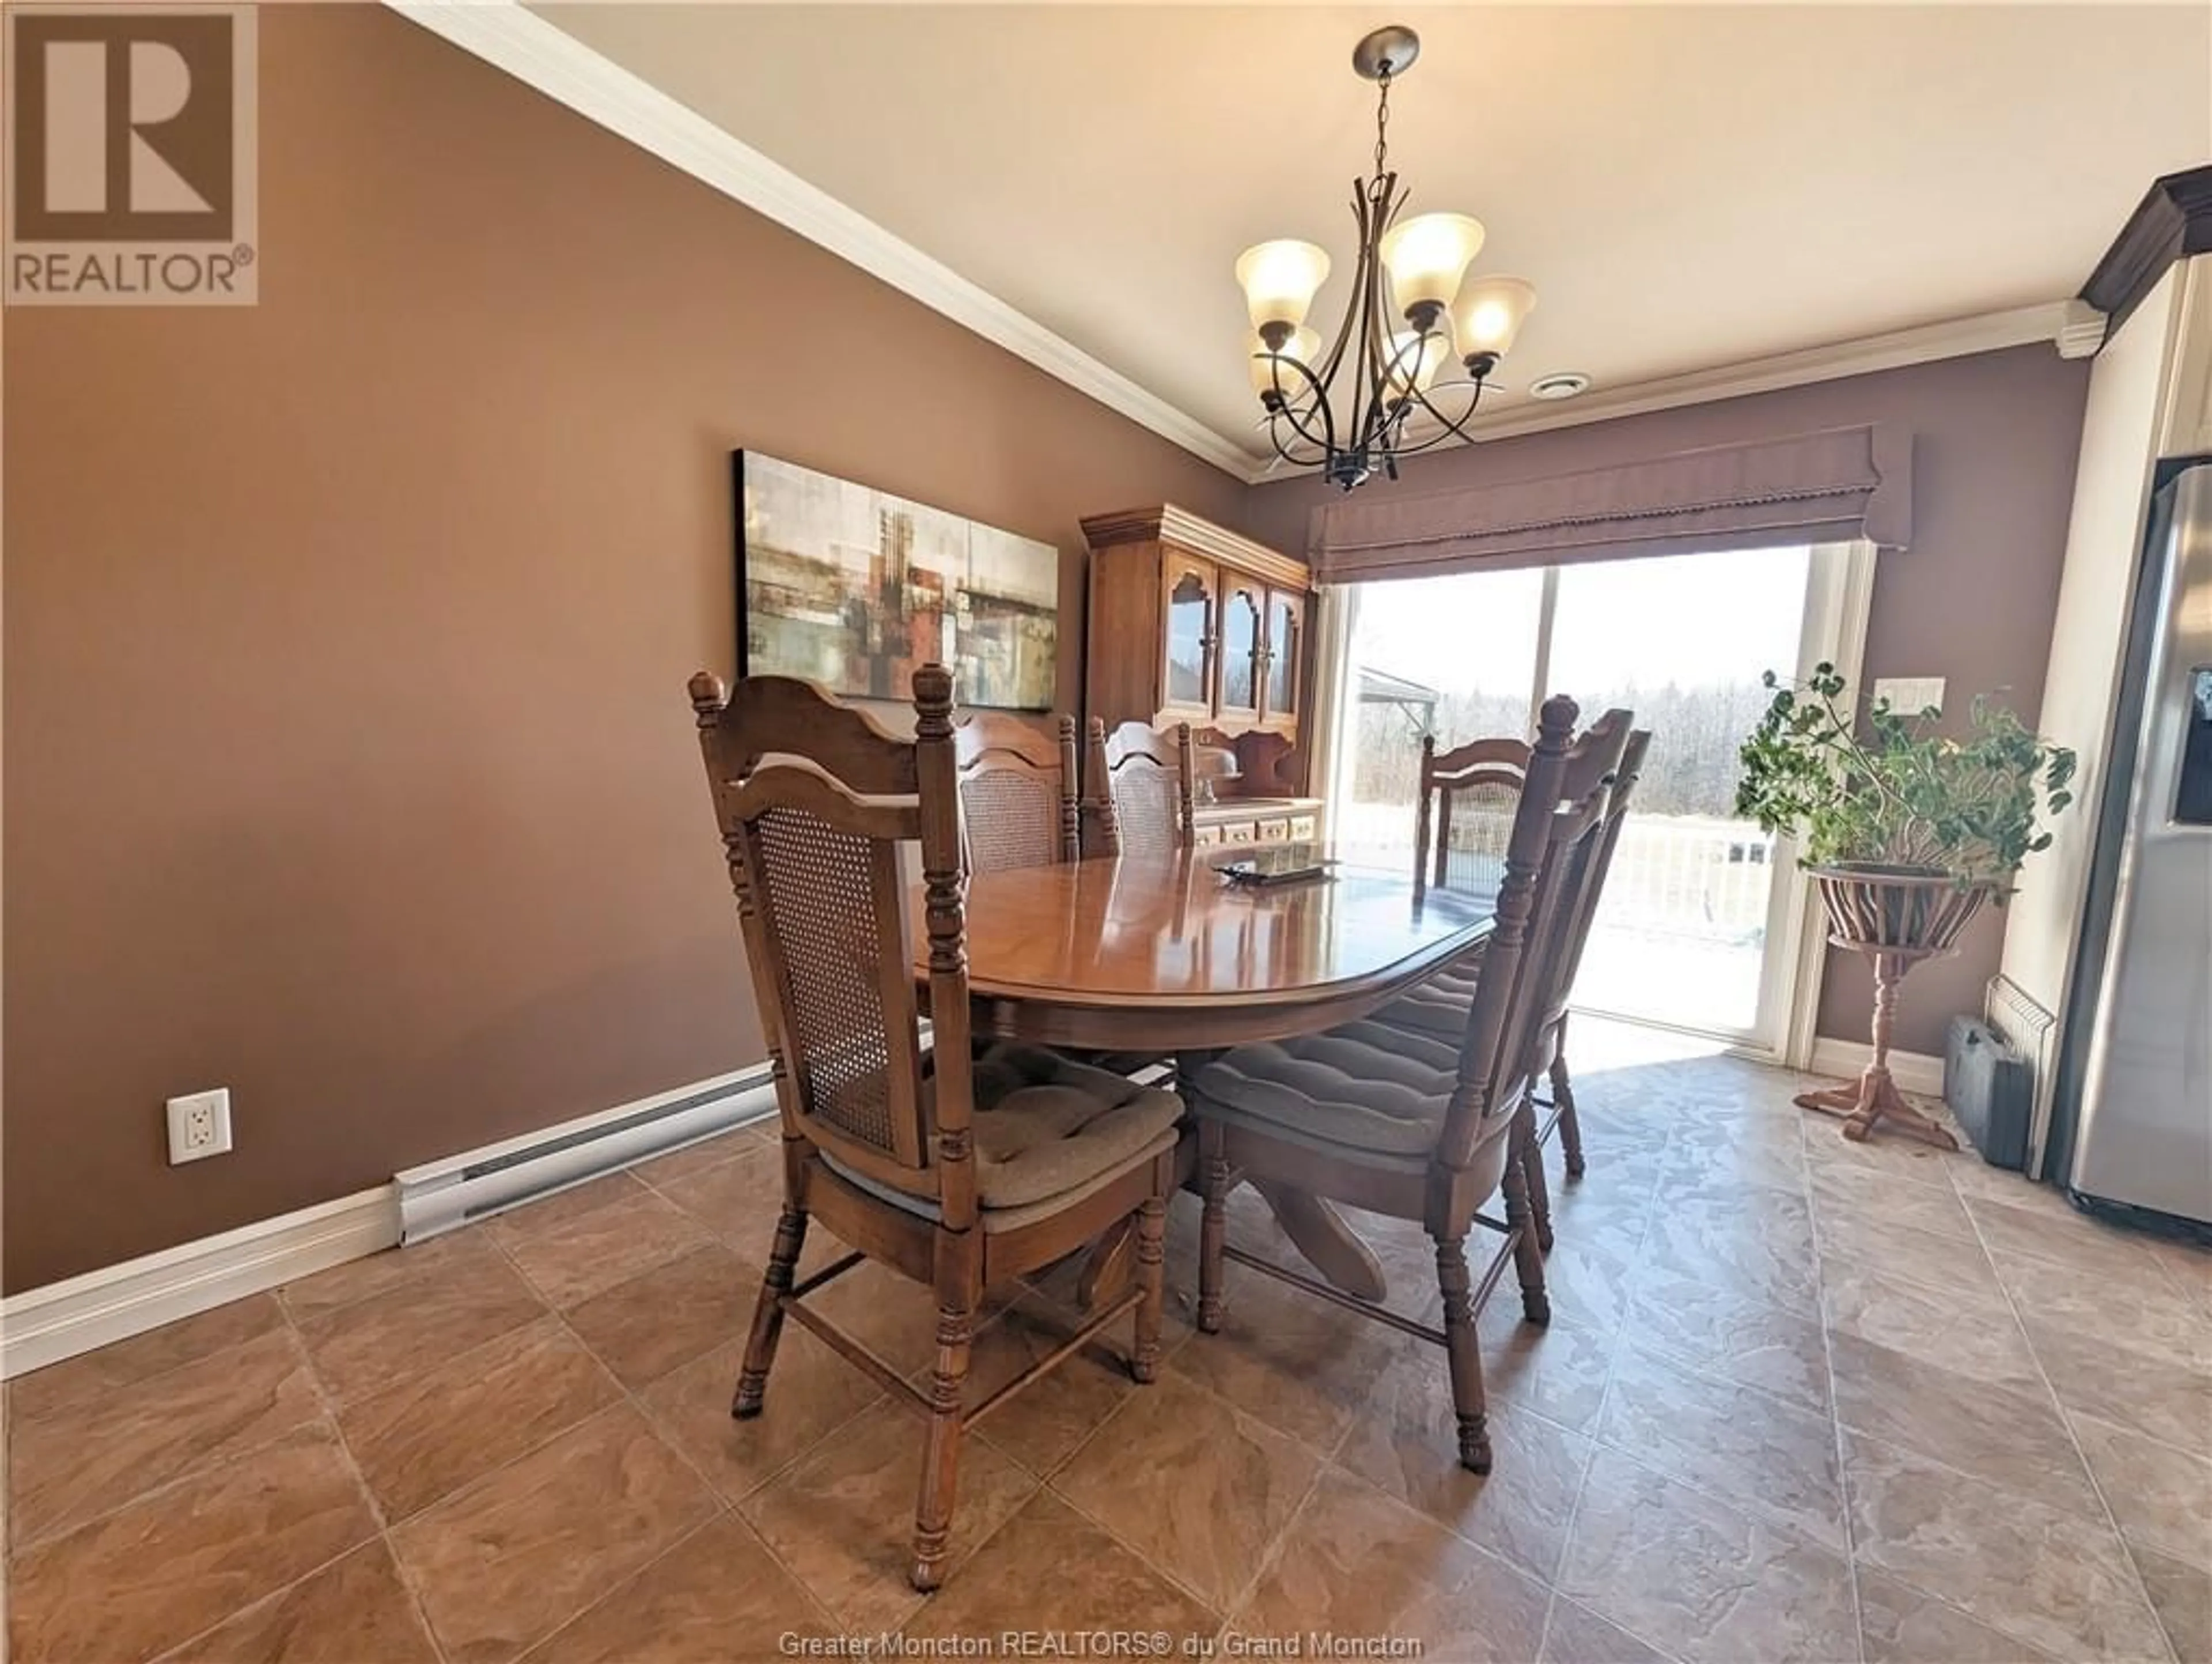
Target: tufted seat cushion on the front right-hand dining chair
x,y
1364,1088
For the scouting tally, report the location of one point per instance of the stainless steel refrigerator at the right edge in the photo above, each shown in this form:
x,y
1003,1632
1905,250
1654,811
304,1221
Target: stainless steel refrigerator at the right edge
x,y
2133,1107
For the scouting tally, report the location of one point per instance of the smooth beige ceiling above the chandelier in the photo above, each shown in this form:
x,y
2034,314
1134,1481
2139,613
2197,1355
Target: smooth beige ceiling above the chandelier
x,y
1687,187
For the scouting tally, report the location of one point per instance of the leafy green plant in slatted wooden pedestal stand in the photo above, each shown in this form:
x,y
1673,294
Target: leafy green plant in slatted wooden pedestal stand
x,y
1906,833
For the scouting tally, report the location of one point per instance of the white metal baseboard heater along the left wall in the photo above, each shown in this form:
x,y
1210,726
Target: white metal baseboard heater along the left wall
x,y
463,1189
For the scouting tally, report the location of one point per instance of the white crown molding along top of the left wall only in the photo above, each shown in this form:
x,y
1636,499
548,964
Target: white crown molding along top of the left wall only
x,y
565,70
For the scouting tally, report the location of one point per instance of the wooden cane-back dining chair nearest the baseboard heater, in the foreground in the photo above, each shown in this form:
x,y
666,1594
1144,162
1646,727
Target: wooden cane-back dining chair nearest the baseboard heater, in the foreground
x,y
952,1169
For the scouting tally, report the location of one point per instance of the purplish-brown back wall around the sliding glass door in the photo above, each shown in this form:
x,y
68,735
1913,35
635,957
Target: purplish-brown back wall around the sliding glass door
x,y
1972,601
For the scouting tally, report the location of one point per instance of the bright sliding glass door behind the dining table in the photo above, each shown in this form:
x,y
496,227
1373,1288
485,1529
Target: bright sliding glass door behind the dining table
x,y
1700,919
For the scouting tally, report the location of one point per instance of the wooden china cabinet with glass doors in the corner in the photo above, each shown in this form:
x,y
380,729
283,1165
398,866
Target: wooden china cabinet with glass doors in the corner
x,y
1193,623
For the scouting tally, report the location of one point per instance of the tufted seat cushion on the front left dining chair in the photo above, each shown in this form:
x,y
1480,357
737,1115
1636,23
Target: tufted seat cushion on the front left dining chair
x,y
1047,1125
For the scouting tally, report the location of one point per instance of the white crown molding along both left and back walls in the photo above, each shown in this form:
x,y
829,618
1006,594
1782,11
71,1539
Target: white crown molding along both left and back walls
x,y
565,70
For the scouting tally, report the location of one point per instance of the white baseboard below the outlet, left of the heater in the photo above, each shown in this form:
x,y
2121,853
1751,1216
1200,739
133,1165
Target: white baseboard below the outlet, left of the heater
x,y
81,1313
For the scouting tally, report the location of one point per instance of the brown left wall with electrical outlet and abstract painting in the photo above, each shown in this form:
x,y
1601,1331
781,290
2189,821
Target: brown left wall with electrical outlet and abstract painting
x,y
346,638
